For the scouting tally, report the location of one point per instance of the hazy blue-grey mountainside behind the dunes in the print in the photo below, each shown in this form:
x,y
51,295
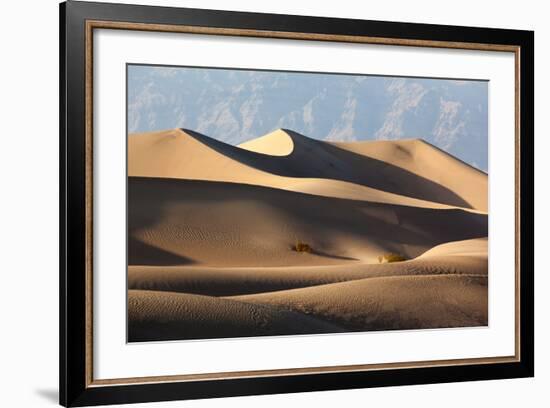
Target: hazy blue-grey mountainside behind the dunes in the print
x,y
236,105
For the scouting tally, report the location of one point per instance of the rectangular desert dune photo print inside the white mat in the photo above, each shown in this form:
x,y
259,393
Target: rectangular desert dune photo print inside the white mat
x,y
266,203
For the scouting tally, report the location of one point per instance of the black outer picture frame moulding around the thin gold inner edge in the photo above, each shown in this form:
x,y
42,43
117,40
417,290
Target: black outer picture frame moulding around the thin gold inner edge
x,y
76,386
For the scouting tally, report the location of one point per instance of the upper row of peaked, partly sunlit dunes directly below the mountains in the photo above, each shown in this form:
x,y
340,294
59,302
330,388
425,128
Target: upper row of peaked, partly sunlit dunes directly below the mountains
x,y
287,160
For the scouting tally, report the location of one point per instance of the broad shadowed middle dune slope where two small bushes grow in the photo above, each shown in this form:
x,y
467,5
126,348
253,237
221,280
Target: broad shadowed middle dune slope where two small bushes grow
x,y
229,224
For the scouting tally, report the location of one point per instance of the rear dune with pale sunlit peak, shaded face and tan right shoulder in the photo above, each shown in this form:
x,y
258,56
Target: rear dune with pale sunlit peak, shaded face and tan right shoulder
x,y
407,167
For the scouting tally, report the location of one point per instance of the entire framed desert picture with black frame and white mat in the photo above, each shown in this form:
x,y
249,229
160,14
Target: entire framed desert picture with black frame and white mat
x,y
256,203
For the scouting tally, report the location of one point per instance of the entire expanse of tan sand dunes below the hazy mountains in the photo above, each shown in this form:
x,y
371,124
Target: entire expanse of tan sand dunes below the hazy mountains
x,y
212,229
